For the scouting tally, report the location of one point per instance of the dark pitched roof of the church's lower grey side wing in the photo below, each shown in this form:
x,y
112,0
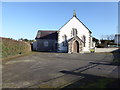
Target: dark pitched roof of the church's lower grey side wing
x,y
47,35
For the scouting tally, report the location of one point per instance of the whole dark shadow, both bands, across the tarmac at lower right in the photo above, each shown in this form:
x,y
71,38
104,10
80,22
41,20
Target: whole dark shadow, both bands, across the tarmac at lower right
x,y
93,81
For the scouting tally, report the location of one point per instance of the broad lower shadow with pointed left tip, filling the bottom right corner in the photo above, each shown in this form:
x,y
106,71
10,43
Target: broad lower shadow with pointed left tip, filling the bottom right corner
x,y
92,81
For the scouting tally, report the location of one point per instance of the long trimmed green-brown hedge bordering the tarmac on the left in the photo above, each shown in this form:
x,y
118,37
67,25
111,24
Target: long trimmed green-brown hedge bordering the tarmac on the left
x,y
12,47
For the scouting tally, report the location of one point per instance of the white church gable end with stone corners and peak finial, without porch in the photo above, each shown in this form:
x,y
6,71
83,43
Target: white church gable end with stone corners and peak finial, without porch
x,y
74,28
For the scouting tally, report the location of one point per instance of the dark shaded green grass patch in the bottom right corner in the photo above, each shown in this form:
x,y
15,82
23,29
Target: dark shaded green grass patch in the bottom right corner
x,y
99,82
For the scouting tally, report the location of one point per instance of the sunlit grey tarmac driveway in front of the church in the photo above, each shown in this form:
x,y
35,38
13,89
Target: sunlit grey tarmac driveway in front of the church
x,y
34,69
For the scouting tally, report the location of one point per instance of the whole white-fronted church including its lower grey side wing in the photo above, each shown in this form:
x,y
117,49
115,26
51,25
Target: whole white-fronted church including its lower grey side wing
x,y
72,37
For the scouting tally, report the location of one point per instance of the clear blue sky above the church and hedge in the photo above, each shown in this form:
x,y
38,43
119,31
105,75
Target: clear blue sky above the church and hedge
x,y
24,19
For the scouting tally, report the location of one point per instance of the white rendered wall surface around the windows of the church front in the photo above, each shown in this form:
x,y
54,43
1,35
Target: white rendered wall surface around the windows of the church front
x,y
66,29
